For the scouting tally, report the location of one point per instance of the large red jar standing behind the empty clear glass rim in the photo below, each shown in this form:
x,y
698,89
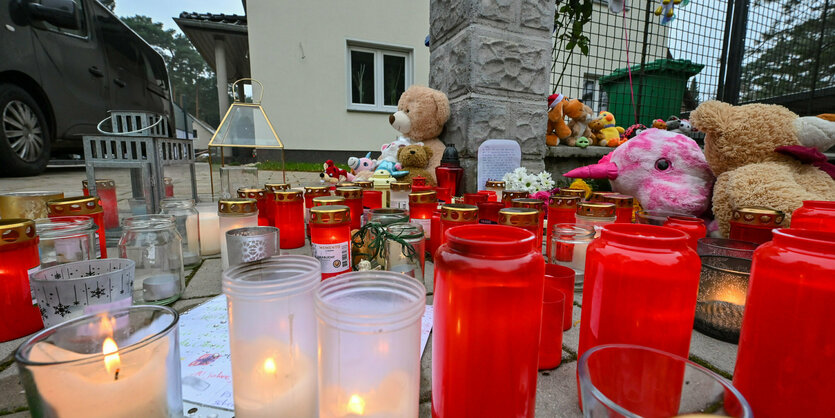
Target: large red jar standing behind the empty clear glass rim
x,y
641,284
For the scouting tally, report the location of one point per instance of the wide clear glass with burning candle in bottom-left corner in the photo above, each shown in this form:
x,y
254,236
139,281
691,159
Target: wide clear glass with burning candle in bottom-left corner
x,y
119,363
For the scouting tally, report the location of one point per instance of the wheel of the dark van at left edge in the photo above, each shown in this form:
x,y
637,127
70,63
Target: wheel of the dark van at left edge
x,y
25,142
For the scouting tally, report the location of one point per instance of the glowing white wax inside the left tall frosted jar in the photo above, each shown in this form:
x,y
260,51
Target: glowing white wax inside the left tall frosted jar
x,y
272,379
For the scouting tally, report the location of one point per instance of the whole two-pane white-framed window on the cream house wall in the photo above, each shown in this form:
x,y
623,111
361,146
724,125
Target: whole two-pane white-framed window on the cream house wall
x,y
377,76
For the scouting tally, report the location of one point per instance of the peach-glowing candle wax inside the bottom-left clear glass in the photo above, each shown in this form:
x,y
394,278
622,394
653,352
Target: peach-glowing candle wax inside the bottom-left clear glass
x,y
88,390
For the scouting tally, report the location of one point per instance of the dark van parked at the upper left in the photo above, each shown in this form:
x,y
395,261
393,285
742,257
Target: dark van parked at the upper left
x,y
63,65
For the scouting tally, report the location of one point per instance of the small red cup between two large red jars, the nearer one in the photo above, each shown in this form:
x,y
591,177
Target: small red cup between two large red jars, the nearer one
x,y
550,336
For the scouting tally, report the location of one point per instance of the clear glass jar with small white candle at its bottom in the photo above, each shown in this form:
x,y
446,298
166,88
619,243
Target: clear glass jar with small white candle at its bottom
x,y
153,243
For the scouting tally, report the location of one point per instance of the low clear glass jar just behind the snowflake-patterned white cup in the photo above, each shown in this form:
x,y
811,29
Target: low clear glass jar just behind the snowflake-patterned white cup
x,y
65,239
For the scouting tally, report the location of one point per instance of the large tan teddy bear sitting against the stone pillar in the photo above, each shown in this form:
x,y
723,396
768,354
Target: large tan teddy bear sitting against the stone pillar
x,y
421,115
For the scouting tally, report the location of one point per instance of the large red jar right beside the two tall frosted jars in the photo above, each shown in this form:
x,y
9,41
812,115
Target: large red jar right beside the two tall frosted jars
x,y
478,348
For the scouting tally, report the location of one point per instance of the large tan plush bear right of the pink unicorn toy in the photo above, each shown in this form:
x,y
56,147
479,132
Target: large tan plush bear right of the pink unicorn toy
x,y
741,147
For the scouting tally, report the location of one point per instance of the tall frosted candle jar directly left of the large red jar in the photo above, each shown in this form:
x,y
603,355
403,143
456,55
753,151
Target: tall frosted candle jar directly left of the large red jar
x,y
369,344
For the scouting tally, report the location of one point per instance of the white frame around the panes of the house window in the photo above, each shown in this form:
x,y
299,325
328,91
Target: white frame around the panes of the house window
x,y
379,50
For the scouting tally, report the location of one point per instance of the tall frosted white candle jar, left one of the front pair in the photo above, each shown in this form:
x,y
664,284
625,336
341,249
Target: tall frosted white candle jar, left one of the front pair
x,y
272,336
